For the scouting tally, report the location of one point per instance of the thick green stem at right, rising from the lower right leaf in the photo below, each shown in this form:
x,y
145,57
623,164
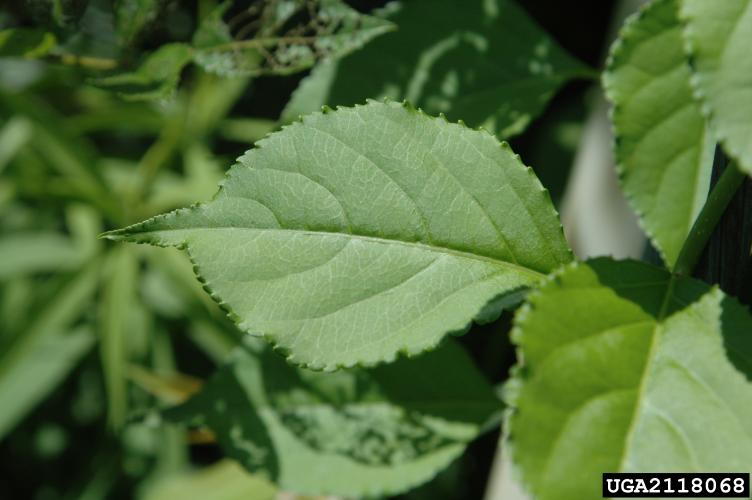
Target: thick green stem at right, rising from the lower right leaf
x,y
711,213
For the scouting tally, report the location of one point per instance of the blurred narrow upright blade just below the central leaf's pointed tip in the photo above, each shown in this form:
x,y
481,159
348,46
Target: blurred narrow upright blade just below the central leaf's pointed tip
x,y
114,332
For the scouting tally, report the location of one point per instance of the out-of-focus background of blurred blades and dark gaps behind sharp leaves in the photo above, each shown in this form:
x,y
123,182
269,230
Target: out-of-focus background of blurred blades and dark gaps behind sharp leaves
x,y
98,333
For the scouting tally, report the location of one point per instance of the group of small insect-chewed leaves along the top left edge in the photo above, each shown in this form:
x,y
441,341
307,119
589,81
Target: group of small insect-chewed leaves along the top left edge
x,y
263,37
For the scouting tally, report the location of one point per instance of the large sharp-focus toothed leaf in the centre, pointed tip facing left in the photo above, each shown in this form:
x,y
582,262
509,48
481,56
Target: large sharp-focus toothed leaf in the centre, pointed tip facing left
x,y
364,232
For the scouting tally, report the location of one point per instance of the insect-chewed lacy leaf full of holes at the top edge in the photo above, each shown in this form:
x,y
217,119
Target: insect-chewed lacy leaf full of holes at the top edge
x,y
331,29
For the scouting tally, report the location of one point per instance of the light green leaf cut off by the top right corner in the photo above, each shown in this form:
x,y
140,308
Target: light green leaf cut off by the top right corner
x,y
717,36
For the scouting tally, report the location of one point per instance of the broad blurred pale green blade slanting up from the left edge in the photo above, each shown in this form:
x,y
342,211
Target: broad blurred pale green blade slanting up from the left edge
x,y
37,359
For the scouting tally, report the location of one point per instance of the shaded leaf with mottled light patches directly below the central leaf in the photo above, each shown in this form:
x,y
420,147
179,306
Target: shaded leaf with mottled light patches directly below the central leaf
x,y
382,430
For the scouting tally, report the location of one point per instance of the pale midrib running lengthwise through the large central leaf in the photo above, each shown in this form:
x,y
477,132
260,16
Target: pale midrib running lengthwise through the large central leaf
x,y
538,275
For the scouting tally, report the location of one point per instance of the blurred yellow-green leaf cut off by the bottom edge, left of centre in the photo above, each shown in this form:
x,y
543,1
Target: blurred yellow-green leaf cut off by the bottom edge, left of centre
x,y
225,480
